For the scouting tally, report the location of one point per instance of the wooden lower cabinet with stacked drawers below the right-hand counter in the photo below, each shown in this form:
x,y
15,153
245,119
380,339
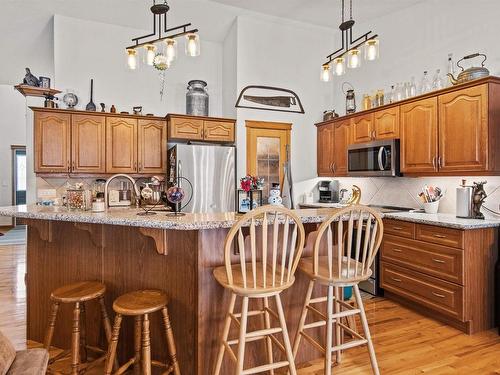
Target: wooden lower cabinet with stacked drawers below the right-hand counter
x,y
445,273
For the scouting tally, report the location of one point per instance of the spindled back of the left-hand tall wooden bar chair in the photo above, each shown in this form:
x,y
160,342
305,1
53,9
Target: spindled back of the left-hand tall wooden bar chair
x,y
270,255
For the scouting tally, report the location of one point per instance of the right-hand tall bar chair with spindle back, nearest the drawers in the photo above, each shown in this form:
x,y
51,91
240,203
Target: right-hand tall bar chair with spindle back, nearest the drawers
x,y
352,238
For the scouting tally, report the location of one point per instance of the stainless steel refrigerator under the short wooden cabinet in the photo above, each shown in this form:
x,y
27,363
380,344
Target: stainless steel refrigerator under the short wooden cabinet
x,y
211,169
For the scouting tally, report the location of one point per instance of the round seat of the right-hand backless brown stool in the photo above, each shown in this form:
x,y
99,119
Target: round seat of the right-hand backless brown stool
x,y
140,302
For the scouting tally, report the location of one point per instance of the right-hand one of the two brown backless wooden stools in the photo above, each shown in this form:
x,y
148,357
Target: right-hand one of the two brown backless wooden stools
x,y
140,304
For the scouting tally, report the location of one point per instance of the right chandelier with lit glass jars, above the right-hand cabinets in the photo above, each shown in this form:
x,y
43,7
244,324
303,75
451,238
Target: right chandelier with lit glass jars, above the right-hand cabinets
x,y
350,53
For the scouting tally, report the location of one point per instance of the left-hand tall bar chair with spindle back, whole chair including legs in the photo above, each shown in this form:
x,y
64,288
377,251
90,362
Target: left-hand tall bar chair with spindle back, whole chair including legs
x,y
264,270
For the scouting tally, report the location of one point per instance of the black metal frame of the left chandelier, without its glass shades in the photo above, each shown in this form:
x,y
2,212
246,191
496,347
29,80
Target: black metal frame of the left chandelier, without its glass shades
x,y
160,19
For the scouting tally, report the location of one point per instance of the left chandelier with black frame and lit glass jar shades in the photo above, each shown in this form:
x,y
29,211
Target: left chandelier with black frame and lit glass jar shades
x,y
159,49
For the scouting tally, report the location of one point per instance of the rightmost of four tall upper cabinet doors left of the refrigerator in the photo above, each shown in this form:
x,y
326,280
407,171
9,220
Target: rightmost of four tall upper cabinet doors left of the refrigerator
x,y
152,146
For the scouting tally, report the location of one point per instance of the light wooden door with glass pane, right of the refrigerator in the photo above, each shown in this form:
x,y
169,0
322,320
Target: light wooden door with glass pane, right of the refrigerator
x,y
268,144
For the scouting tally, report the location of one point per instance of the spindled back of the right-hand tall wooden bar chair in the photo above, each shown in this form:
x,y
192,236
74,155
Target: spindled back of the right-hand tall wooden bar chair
x,y
353,237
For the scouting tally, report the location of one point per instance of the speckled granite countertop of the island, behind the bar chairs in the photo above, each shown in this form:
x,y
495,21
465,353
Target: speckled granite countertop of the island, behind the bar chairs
x,y
129,217
